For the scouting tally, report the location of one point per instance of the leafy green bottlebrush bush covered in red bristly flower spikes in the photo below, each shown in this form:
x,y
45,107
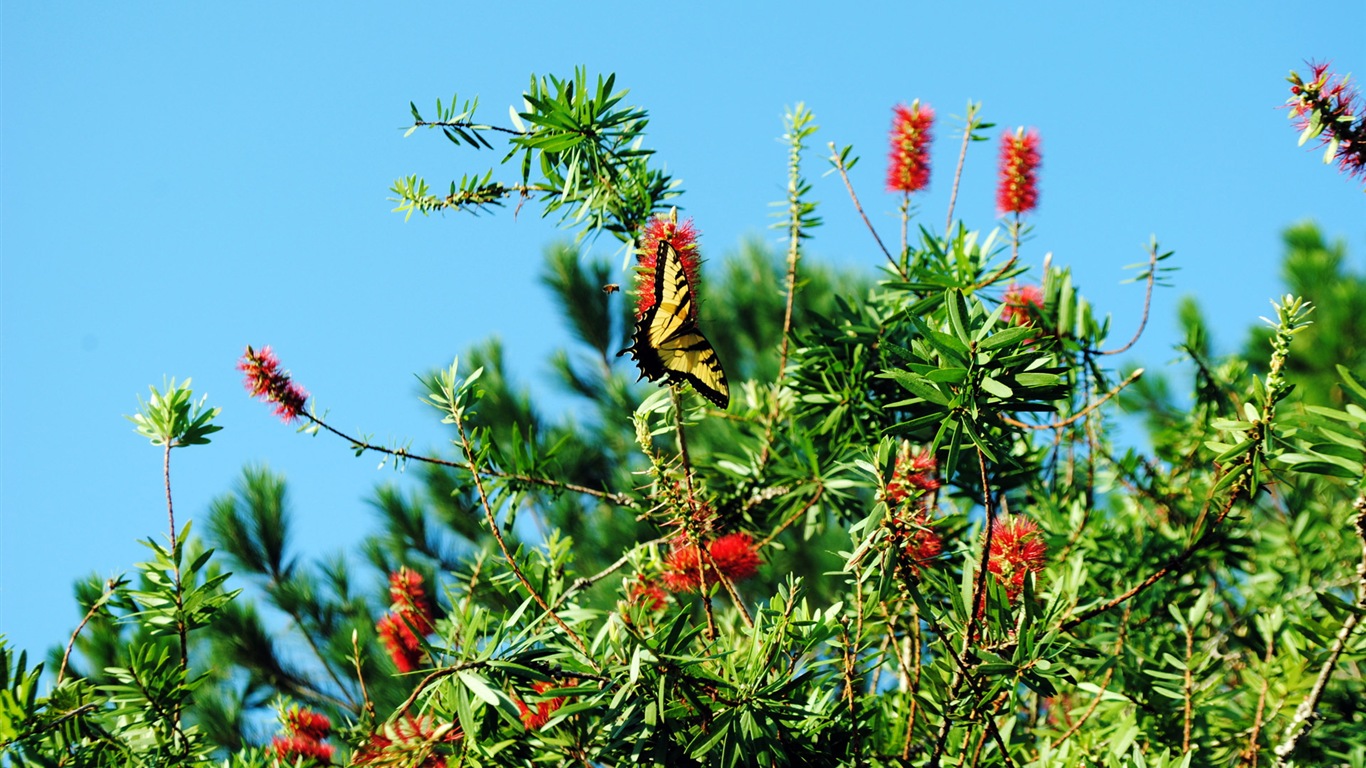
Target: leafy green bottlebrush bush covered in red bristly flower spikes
x,y
900,530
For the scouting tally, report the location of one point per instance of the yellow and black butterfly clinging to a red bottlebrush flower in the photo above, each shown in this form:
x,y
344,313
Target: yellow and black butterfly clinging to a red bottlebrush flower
x,y
667,344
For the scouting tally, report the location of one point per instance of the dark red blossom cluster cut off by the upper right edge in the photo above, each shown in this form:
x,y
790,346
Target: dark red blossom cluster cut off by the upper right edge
x,y
1328,109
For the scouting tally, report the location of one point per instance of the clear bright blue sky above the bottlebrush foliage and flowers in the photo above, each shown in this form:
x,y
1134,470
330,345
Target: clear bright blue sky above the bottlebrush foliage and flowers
x,y
180,181
